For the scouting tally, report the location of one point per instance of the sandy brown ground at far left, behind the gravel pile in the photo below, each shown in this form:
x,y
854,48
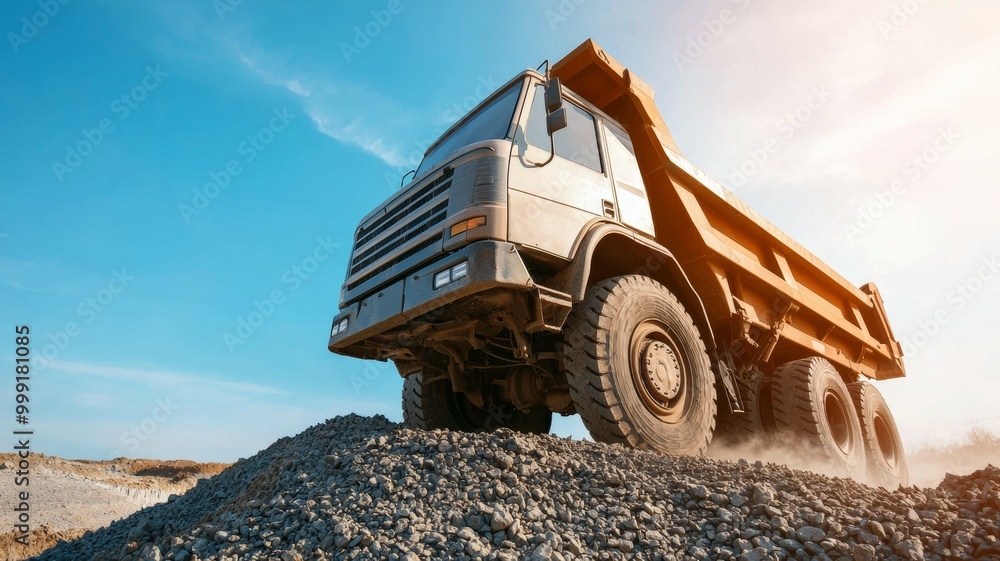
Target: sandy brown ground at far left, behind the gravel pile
x,y
70,497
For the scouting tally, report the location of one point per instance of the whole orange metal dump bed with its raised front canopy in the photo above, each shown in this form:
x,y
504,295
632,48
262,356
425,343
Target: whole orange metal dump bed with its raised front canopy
x,y
768,298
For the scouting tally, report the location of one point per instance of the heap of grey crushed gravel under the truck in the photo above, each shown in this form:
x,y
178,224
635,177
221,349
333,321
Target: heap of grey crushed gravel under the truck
x,y
357,487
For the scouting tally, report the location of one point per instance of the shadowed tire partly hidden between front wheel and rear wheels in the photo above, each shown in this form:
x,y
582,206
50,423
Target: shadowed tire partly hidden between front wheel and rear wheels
x,y
756,424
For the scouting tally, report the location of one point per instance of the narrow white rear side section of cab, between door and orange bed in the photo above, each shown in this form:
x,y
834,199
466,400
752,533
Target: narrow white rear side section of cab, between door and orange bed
x,y
633,205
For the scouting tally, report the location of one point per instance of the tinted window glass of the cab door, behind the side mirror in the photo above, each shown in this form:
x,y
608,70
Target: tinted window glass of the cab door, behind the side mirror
x,y
577,142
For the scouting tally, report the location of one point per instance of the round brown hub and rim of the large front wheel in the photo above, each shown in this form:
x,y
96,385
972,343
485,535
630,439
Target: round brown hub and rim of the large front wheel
x,y
659,372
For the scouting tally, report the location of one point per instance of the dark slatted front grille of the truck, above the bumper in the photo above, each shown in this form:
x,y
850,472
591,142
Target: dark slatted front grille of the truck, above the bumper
x,y
406,220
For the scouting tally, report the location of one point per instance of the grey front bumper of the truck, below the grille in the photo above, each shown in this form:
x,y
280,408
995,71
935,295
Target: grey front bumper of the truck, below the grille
x,y
492,264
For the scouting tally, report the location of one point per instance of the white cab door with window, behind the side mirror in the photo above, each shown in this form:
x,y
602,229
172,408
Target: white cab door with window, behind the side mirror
x,y
550,204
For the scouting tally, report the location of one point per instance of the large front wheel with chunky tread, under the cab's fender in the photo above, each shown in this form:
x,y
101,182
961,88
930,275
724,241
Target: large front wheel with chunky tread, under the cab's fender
x,y
623,324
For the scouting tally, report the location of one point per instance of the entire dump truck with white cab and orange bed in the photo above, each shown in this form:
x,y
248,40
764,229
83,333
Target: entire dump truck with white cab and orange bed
x,y
555,253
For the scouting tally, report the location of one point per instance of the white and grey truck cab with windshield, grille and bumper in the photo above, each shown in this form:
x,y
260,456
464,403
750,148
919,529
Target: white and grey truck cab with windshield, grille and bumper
x,y
487,213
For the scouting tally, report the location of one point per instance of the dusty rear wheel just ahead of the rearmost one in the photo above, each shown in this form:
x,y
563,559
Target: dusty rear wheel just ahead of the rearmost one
x,y
813,406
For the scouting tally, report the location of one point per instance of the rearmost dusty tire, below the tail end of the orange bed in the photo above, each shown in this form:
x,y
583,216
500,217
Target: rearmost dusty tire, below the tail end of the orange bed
x,y
883,446
